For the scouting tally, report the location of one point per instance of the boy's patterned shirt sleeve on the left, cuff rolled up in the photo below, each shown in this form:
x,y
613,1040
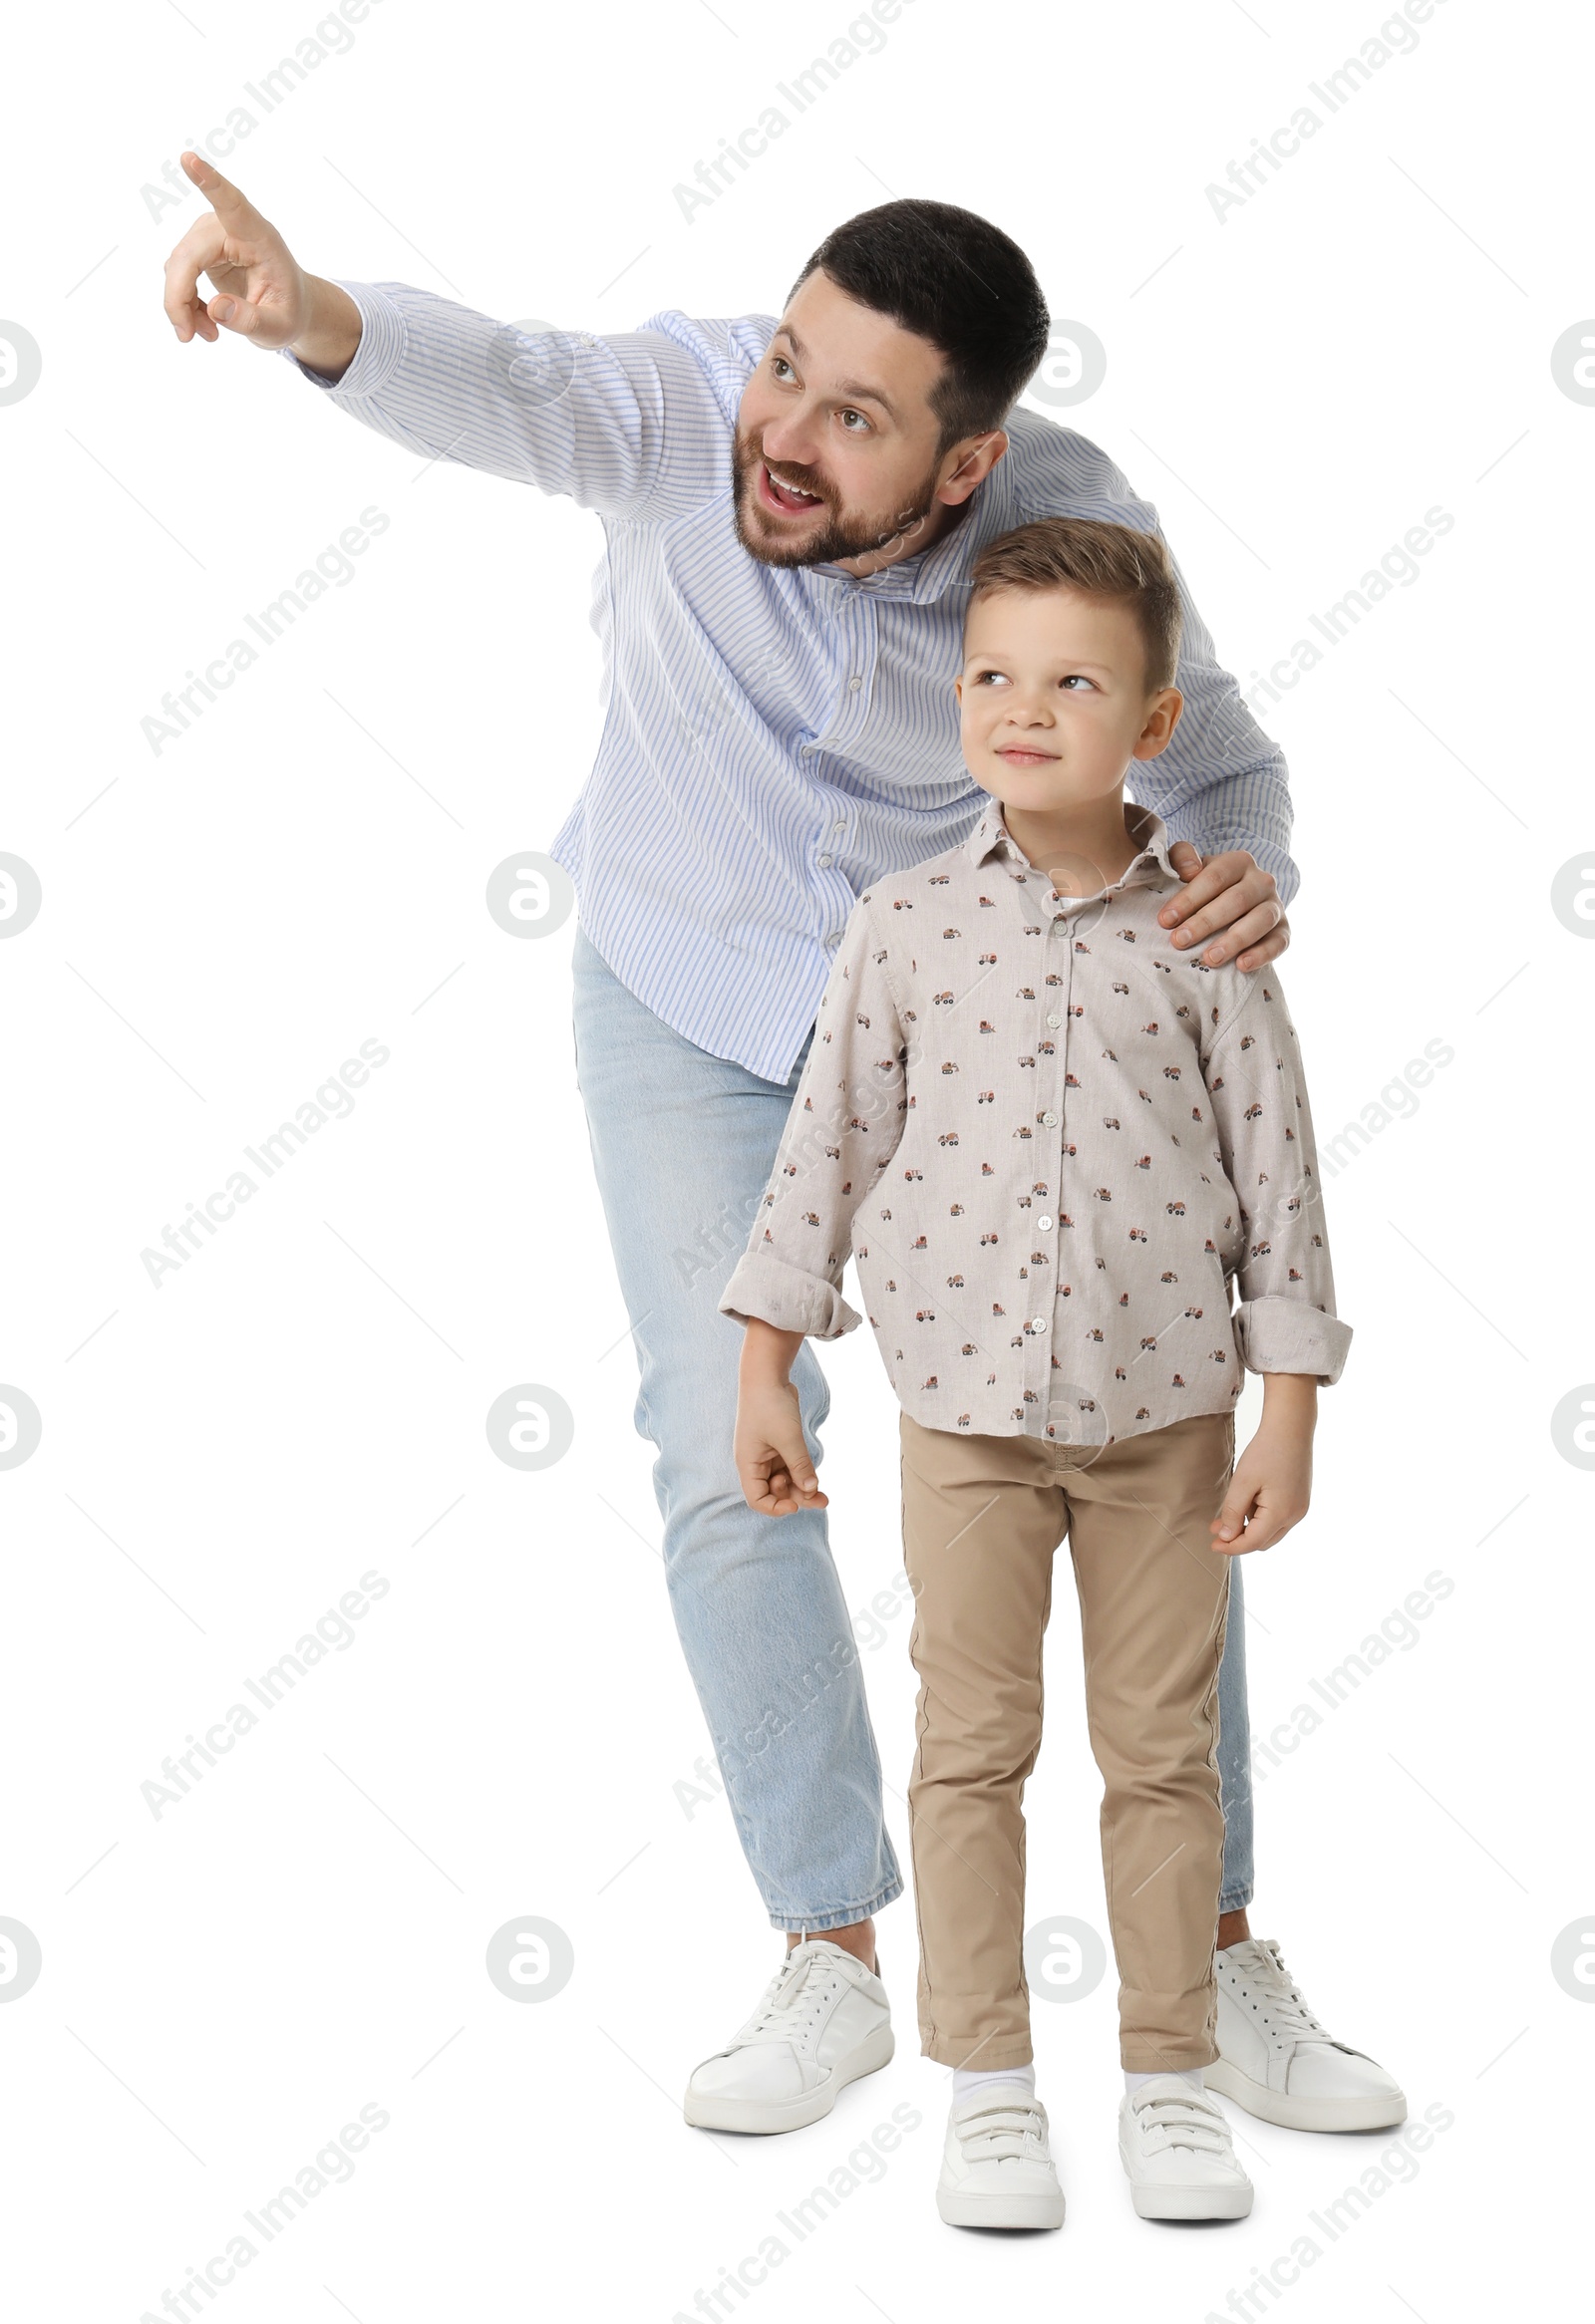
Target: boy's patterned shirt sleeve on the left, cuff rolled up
x,y
841,1135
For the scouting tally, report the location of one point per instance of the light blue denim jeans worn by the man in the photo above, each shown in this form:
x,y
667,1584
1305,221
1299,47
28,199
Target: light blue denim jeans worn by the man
x,y
682,1149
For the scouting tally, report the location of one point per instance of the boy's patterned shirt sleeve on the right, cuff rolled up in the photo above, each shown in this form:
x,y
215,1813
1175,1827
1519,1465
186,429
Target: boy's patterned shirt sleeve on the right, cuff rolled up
x,y
1287,1286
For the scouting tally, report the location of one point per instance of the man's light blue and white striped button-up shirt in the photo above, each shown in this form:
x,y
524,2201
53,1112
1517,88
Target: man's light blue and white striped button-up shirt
x,y
775,738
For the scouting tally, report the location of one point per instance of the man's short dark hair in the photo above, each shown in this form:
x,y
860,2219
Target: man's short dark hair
x,y
959,282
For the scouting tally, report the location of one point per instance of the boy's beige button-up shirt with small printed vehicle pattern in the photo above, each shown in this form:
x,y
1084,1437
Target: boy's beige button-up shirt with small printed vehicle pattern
x,y
1054,1145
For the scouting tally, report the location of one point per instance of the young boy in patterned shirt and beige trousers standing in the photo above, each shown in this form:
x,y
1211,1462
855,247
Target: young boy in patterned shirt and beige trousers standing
x,y
1054,1142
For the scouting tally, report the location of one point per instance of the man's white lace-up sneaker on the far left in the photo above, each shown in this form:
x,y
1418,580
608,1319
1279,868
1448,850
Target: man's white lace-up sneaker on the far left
x,y
824,2021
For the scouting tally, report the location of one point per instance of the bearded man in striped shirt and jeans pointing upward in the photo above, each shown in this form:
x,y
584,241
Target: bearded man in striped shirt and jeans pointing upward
x,y
789,515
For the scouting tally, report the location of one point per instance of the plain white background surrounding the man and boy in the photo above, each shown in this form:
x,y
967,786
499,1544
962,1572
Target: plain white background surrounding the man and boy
x,y
303,1403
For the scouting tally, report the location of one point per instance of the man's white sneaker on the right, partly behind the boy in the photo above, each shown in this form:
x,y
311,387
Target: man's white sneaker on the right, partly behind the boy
x,y
1275,2058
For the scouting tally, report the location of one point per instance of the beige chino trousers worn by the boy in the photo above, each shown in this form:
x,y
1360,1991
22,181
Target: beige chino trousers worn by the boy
x,y
980,1523
